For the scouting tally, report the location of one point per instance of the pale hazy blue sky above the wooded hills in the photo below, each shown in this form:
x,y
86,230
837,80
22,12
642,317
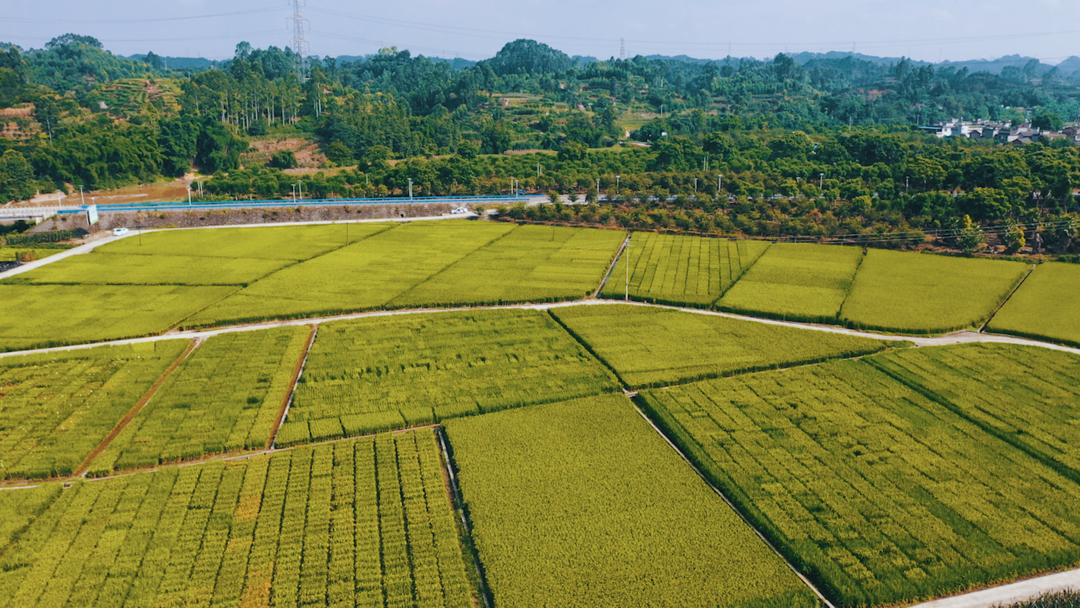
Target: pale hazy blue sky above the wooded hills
x,y
476,30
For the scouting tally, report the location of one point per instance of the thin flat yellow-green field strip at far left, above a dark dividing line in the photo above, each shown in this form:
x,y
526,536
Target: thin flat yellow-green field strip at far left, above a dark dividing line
x,y
126,269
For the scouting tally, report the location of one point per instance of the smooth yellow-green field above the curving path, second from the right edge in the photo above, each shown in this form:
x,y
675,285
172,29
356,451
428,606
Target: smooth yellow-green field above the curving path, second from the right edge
x,y
927,294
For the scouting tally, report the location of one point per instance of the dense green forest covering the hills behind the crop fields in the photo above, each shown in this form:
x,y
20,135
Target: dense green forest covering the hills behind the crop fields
x,y
777,147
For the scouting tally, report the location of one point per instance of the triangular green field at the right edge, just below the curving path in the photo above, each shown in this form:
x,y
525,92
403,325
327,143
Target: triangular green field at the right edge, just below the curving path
x,y
1027,397
